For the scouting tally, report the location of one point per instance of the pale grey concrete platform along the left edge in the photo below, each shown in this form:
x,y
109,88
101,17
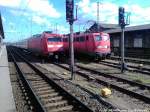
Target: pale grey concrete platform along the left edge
x,y
7,103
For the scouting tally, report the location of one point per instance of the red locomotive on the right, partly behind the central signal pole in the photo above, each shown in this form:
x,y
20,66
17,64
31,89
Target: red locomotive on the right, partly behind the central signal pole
x,y
93,44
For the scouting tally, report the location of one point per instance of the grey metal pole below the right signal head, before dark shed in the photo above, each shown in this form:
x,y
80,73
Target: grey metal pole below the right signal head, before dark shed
x,y
122,51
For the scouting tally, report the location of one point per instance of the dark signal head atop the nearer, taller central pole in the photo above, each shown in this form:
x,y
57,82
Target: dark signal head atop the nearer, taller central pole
x,y
69,10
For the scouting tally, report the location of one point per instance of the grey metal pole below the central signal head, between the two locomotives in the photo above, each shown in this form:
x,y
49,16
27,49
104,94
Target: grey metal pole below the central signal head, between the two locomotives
x,y
72,51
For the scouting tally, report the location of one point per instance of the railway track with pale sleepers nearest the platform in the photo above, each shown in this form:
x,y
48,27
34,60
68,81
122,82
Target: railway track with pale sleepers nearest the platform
x,y
44,93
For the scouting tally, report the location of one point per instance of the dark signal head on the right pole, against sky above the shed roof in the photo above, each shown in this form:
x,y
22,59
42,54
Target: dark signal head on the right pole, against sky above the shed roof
x,y
121,17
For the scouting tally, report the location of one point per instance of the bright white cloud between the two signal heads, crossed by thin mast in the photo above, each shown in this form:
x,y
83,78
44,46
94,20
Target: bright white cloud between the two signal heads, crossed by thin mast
x,y
89,10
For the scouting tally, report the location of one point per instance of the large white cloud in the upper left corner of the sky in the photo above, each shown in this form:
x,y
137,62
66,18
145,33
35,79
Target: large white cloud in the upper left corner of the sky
x,y
27,7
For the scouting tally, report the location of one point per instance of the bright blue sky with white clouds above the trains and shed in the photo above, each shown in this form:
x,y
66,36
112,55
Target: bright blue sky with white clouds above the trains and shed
x,y
23,18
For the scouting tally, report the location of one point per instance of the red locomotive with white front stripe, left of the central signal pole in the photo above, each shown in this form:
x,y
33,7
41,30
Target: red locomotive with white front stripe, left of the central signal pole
x,y
46,44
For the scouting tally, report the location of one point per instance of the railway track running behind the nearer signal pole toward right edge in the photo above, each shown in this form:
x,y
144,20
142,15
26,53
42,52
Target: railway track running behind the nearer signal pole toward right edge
x,y
131,88
